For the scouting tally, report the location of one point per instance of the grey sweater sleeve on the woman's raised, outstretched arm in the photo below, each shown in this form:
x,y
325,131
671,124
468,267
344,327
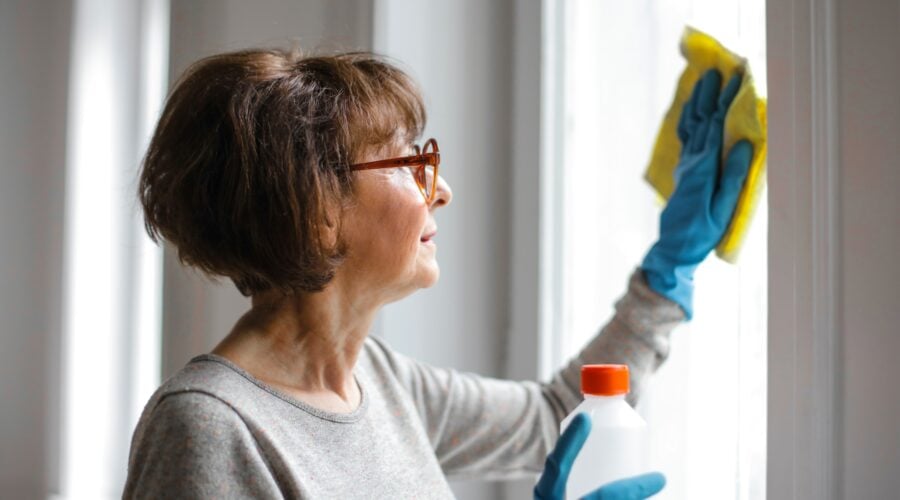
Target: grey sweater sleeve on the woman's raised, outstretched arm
x,y
487,428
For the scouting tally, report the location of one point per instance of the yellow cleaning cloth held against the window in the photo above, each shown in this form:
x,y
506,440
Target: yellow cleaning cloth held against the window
x,y
746,119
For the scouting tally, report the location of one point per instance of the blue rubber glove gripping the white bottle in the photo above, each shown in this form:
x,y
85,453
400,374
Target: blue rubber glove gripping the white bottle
x,y
552,484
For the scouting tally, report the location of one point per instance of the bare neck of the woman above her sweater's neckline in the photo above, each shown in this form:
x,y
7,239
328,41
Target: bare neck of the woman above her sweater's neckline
x,y
305,345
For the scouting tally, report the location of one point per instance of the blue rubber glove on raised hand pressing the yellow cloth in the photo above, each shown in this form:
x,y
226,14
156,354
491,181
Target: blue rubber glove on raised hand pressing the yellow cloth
x,y
700,208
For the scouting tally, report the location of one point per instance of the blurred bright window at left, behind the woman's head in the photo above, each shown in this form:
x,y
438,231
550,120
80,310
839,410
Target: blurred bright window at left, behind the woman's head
x,y
111,339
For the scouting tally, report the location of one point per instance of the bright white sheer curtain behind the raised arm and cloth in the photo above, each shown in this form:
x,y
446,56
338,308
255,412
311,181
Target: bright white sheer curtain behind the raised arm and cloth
x,y
706,407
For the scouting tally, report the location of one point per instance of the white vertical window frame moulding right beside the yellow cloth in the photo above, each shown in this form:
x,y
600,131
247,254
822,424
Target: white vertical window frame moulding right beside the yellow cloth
x,y
803,387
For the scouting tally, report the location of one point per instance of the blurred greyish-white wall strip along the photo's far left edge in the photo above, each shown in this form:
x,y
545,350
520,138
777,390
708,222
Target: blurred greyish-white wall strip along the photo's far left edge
x,y
34,54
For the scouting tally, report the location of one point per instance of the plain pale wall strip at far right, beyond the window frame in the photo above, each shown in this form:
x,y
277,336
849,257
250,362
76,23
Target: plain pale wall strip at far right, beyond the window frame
x,y
869,116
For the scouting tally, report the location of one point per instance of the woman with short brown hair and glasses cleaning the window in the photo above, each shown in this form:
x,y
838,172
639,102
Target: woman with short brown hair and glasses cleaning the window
x,y
297,179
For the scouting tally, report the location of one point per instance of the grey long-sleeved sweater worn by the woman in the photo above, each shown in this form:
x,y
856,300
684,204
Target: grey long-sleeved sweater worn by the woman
x,y
214,431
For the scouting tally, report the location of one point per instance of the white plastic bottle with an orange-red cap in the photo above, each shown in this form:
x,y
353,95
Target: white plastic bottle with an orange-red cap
x,y
617,445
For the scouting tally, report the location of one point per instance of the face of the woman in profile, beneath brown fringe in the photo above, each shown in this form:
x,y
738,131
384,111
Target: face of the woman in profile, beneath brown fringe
x,y
389,230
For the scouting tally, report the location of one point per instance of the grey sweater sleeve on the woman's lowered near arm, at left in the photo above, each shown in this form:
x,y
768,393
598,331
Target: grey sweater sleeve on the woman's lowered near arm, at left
x,y
196,446
